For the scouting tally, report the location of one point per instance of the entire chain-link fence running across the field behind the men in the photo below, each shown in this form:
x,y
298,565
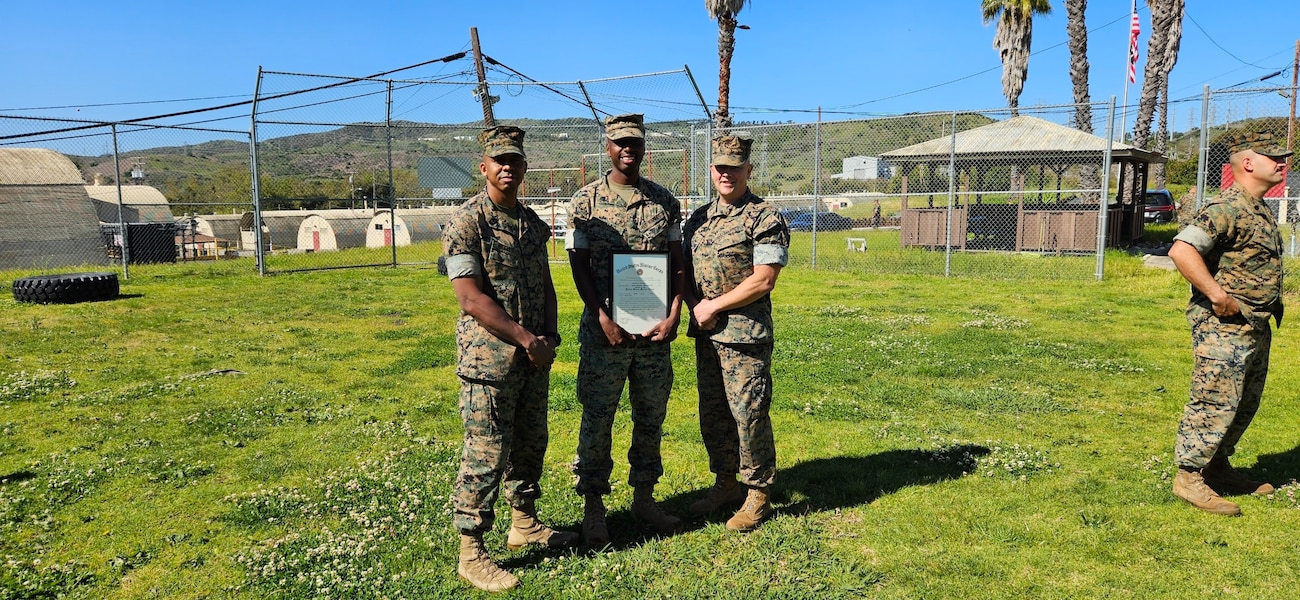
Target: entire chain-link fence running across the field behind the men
x,y
357,172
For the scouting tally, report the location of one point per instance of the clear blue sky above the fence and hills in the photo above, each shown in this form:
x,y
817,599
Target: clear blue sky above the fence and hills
x,y
850,58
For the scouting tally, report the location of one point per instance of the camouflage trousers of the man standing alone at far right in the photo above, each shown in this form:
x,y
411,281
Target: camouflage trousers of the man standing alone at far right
x,y
1228,381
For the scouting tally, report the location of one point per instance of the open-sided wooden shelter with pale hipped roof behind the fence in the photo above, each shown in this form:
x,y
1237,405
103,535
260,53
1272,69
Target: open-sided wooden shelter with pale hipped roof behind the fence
x,y
1029,220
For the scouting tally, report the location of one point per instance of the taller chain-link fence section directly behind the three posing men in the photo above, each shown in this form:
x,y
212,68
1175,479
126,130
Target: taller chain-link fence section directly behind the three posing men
x,y
353,172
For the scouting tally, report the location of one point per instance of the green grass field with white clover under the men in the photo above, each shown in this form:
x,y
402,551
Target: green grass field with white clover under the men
x,y
215,434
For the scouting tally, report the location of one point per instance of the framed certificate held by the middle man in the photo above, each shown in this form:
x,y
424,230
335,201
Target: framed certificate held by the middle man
x,y
639,299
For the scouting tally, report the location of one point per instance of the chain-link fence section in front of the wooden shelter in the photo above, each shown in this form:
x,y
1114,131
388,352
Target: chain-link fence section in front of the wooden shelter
x,y
977,194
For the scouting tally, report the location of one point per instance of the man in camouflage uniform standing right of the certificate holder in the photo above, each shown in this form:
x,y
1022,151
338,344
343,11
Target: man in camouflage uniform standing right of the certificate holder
x,y
735,250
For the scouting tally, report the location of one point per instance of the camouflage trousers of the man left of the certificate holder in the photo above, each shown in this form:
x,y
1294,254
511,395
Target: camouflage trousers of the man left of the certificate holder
x,y
504,447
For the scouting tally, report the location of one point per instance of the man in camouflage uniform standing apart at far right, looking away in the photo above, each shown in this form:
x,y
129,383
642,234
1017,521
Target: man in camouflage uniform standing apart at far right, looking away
x,y
1232,254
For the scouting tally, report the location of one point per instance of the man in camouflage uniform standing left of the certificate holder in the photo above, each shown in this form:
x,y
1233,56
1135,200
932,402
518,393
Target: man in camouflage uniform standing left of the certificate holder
x,y
506,341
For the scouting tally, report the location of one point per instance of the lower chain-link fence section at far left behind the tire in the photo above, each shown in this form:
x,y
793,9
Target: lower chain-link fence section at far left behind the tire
x,y
96,195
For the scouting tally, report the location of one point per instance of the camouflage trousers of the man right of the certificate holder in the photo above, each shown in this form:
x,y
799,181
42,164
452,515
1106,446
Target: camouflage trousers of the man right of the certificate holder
x,y
735,385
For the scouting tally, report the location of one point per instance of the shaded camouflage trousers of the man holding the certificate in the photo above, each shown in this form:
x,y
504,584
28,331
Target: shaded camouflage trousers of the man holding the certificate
x,y
647,367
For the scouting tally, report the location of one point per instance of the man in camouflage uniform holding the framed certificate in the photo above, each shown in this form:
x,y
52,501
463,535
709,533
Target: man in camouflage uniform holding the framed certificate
x,y
622,212
